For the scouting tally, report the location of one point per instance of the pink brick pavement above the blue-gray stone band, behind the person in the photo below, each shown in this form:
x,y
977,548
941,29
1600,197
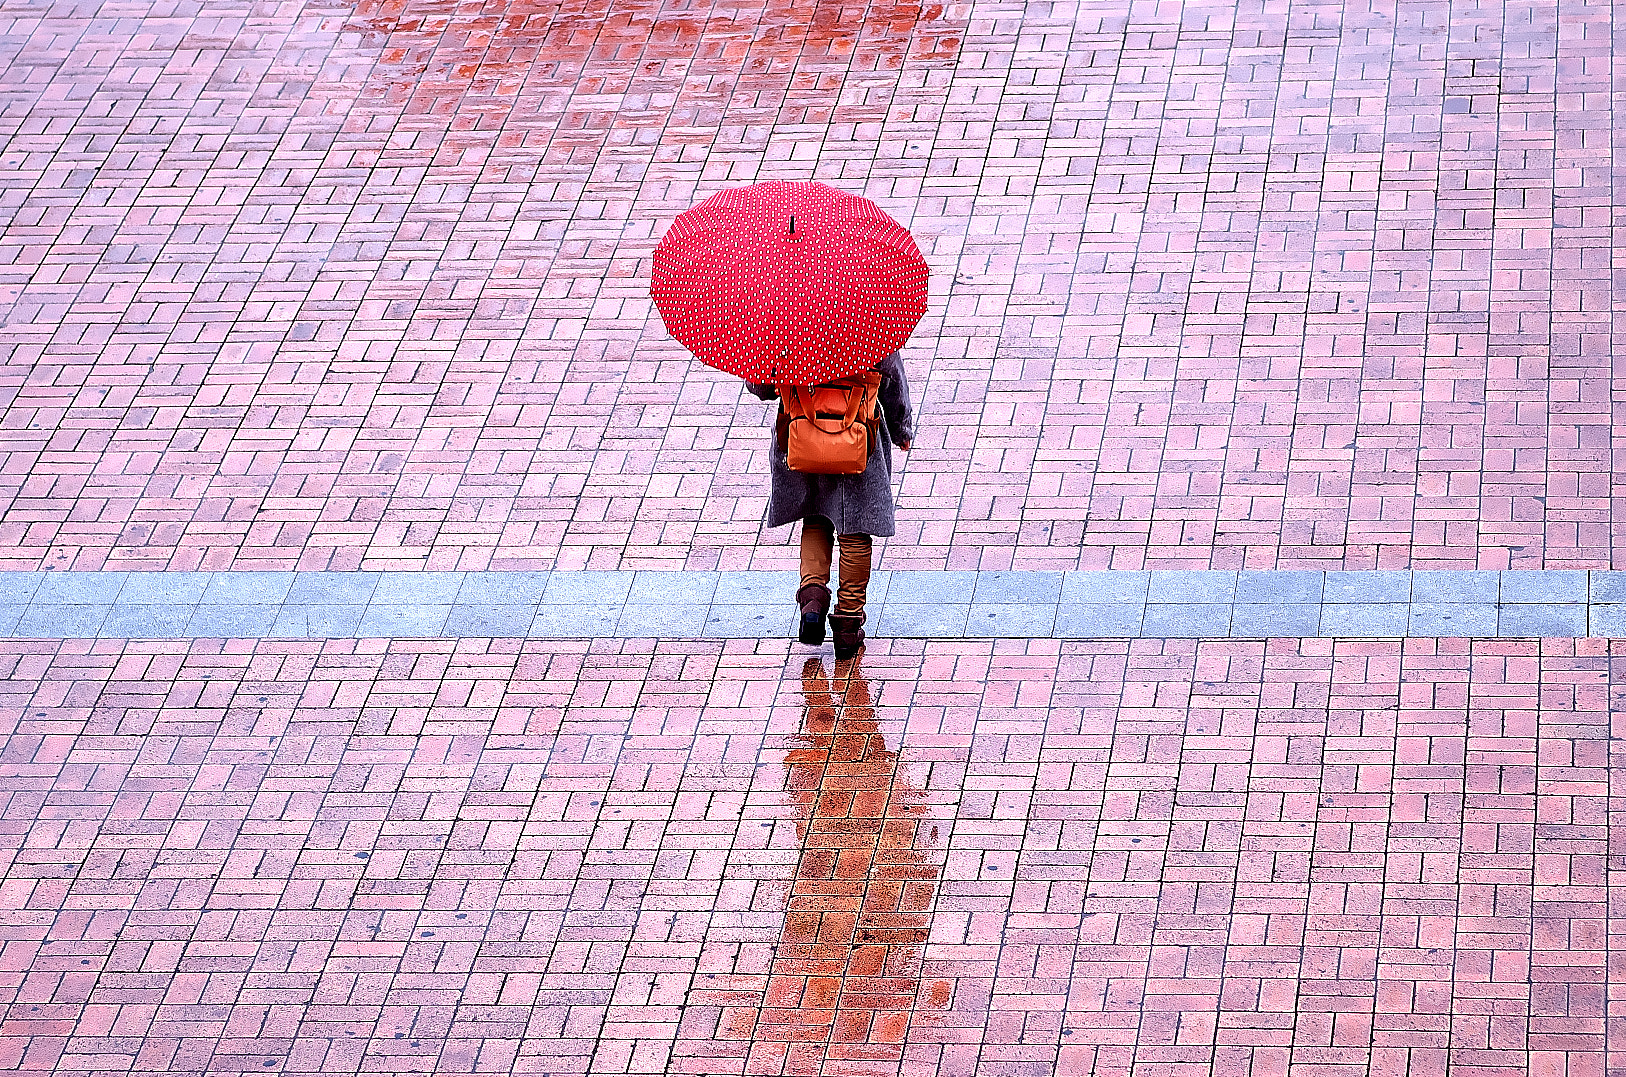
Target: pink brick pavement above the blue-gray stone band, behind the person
x,y
1215,286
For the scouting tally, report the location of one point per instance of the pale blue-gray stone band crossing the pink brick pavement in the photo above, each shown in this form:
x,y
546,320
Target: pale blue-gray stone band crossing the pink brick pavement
x,y
924,604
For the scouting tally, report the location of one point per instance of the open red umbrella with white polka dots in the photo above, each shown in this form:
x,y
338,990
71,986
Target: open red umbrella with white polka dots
x,y
789,282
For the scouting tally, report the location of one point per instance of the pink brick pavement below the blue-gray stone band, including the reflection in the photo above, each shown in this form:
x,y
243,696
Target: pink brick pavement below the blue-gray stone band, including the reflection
x,y
1137,858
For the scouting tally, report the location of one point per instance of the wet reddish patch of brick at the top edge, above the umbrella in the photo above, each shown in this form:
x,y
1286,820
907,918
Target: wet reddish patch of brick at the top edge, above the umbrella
x,y
459,69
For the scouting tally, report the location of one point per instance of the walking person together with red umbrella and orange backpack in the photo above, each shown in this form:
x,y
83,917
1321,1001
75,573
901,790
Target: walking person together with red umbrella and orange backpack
x,y
807,294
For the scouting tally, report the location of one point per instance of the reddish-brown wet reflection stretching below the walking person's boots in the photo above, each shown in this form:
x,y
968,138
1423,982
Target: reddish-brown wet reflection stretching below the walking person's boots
x,y
848,966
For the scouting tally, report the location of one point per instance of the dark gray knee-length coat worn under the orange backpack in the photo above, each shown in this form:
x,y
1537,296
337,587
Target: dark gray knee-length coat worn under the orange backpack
x,y
858,505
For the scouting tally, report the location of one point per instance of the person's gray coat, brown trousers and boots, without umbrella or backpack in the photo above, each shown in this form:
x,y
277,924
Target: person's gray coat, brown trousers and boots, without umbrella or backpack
x,y
848,507
